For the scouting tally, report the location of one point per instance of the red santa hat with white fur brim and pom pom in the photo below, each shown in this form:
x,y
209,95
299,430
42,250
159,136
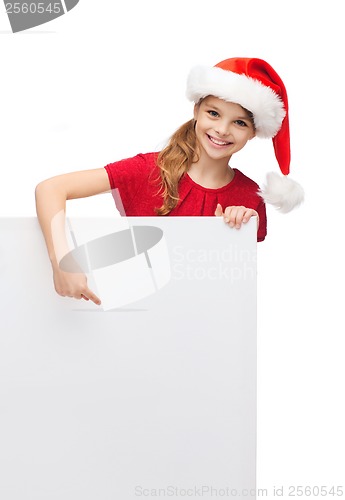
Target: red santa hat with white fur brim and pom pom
x,y
255,85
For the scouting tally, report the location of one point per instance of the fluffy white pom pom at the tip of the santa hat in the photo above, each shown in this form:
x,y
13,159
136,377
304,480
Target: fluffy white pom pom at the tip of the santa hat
x,y
282,192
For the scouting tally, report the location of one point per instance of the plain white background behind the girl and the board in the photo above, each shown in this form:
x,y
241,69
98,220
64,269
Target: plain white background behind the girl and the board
x,y
107,81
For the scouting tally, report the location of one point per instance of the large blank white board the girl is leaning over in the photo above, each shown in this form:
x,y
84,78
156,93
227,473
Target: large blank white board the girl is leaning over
x,y
151,399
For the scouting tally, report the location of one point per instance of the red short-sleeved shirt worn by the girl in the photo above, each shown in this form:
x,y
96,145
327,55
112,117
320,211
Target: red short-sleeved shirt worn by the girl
x,y
137,181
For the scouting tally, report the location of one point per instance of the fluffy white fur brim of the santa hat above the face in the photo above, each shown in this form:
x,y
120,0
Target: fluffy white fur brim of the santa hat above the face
x,y
266,106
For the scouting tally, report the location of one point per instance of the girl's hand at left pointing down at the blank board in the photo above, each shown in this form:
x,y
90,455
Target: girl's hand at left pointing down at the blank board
x,y
73,285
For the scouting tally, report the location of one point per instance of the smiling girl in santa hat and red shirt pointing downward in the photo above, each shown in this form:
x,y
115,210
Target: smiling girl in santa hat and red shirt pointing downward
x,y
236,100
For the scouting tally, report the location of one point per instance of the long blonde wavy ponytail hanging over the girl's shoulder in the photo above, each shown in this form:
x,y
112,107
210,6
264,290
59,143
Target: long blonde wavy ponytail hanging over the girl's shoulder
x,y
173,161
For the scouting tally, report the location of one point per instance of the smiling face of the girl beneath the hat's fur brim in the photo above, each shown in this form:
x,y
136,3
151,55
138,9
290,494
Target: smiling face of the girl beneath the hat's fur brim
x,y
222,128
